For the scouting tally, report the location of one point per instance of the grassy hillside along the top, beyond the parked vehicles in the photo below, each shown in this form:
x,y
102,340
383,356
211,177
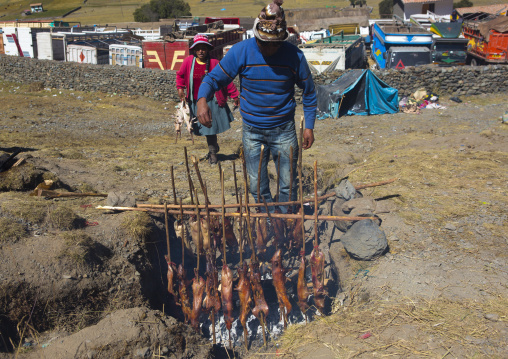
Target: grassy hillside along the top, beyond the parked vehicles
x,y
114,11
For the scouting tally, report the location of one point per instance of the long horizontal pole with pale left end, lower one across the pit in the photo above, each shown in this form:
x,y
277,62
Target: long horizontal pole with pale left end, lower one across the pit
x,y
236,214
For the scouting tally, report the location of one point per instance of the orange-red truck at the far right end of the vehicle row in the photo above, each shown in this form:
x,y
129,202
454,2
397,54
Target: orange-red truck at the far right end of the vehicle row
x,y
487,40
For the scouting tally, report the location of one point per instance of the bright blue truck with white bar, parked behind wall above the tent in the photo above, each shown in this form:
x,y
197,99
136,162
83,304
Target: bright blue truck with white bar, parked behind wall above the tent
x,y
399,45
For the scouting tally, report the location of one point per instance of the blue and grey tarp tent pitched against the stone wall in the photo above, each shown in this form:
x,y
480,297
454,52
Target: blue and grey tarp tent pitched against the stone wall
x,y
357,92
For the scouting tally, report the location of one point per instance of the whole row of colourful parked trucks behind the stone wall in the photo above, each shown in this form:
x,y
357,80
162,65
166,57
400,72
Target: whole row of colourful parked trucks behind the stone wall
x,y
392,43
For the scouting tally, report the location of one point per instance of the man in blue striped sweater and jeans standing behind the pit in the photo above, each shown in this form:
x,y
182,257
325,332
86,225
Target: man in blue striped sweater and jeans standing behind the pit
x,y
269,68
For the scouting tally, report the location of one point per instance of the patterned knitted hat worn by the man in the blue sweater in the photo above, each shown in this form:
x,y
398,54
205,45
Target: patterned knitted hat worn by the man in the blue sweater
x,y
270,25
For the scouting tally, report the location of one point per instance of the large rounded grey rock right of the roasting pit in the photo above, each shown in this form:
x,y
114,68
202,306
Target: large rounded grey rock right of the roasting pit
x,y
365,240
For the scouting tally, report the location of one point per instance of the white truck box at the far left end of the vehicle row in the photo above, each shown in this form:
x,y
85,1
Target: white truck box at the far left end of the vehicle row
x,y
21,41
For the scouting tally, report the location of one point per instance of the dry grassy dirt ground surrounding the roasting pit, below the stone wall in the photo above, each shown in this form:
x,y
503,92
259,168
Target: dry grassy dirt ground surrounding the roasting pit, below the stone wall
x,y
72,276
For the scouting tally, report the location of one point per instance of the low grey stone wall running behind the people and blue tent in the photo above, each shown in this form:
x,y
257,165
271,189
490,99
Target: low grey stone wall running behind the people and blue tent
x,y
161,85
